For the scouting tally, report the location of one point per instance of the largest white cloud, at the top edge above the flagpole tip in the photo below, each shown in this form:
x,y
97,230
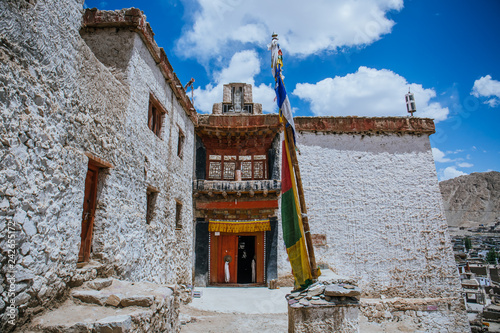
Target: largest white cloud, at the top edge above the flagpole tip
x,y
220,25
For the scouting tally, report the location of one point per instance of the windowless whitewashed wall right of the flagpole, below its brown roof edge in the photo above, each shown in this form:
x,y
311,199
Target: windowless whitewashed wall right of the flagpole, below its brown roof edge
x,y
376,199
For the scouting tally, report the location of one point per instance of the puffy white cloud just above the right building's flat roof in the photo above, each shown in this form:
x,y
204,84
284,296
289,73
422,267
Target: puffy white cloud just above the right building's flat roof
x,y
368,92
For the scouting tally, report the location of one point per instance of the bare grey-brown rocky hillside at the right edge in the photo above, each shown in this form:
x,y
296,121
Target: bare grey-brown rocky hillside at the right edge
x,y
472,200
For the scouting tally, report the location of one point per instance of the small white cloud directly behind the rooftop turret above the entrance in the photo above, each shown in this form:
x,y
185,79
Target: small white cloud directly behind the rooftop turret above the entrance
x,y
243,67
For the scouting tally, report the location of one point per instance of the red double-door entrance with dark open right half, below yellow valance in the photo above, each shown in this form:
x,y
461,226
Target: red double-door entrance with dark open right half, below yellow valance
x,y
237,259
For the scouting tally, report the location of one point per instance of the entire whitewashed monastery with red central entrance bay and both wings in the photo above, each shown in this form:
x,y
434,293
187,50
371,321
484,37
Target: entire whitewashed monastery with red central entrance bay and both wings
x,y
107,170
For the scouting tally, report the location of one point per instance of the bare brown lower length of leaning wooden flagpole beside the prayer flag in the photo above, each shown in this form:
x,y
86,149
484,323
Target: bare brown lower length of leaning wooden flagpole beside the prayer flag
x,y
303,208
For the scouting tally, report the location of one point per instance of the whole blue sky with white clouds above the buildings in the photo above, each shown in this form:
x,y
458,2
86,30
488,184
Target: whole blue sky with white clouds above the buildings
x,y
349,58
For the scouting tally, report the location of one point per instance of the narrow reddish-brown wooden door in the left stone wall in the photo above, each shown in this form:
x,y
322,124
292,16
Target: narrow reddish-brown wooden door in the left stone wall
x,y
89,203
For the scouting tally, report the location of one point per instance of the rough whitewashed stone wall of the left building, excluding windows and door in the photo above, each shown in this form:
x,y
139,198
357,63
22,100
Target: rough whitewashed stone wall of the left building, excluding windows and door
x,y
62,96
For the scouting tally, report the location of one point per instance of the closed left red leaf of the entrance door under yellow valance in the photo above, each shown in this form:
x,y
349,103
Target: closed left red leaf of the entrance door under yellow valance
x,y
228,246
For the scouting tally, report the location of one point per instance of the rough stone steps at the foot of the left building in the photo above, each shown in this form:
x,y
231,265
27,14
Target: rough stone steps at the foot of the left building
x,y
114,306
